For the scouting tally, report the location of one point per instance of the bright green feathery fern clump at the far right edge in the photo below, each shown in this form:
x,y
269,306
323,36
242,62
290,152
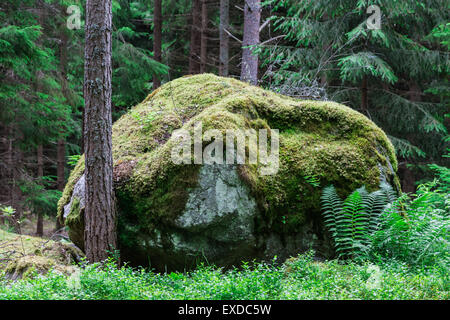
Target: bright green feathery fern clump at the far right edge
x,y
416,228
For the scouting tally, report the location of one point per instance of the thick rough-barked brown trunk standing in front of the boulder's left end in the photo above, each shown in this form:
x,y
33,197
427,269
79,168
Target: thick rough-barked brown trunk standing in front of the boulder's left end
x,y
100,214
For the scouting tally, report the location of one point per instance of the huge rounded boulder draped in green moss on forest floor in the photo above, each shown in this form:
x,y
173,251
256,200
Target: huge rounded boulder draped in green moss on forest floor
x,y
173,215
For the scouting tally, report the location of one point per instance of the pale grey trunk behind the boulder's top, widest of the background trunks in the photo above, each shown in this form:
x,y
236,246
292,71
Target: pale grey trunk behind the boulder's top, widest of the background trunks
x,y
252,17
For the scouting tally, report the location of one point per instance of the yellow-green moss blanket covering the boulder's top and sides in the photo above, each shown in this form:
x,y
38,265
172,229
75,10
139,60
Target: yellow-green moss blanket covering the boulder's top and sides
x,y
321,143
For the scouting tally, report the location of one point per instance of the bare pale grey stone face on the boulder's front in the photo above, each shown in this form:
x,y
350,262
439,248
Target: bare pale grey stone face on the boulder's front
x,y
220,206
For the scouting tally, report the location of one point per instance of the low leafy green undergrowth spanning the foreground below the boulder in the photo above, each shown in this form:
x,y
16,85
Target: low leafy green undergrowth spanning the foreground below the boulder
x,y
298,278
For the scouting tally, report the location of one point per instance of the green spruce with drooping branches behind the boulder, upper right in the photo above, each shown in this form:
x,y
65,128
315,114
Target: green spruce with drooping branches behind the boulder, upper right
x,y
374,70
